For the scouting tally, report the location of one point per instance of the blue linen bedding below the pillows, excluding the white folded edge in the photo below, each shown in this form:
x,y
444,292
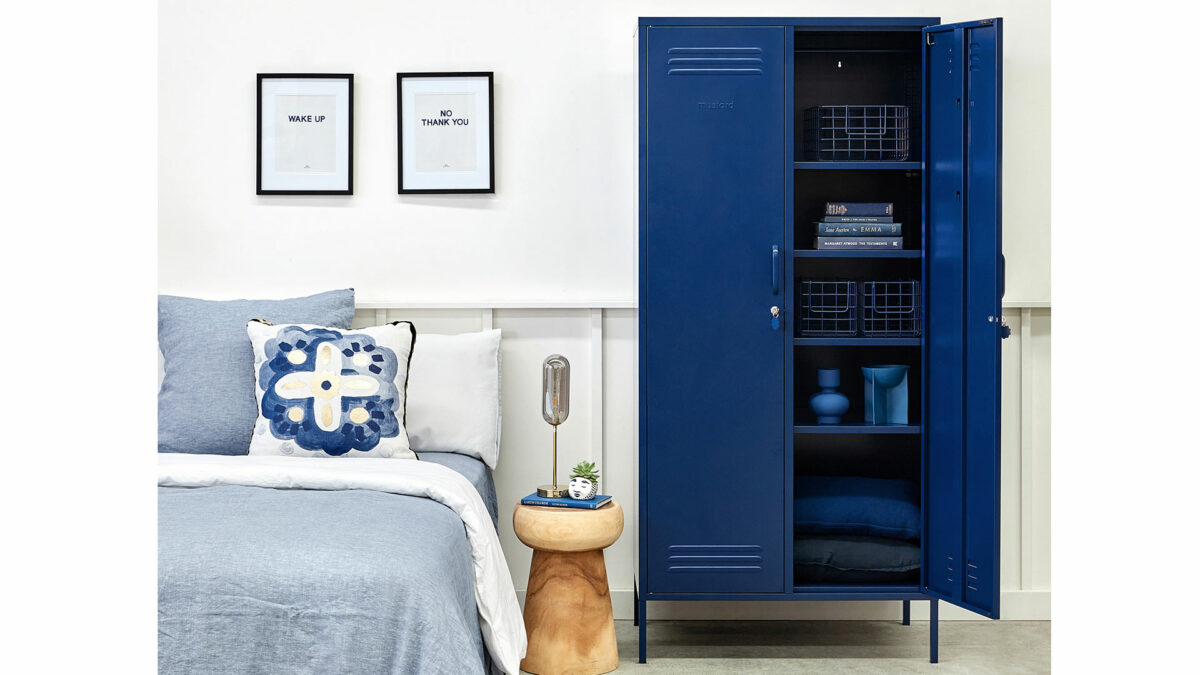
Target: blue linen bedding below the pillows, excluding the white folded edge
x,y
265,581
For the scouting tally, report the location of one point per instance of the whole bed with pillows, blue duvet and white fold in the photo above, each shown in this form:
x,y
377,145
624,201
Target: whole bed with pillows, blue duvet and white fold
x,y
346,524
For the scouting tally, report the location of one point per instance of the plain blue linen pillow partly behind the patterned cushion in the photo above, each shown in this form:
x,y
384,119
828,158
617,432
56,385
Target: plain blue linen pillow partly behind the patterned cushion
x,y
207,401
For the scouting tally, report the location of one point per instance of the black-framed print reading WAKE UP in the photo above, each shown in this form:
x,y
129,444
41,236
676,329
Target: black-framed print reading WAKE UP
x,y
305,134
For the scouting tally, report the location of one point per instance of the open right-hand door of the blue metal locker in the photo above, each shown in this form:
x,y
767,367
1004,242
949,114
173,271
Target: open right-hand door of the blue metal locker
x,y
965,284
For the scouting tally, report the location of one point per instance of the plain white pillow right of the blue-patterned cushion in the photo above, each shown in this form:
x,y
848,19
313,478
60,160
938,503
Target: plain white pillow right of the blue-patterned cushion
x,y
454,396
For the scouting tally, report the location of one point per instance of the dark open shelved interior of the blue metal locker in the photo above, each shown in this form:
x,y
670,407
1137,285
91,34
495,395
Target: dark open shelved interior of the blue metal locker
x,y
868,476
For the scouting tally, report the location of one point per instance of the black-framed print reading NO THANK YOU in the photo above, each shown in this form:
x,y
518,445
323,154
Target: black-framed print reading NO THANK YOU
x,y
446,142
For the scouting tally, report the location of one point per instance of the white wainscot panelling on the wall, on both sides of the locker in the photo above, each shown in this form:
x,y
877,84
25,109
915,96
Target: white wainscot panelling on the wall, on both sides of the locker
x,y
602,344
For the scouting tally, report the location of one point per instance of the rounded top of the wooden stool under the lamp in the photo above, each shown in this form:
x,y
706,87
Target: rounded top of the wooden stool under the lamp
x,y
568,530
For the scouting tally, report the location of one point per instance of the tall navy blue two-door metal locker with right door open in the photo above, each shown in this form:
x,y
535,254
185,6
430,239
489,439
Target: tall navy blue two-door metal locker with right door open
x,y
727,202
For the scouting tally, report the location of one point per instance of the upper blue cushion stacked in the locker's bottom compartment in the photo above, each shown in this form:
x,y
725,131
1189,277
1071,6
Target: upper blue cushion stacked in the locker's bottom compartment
x,y
841,505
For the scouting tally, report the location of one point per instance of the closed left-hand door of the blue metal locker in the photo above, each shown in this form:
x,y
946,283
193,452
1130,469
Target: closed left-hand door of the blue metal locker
x,y
715,171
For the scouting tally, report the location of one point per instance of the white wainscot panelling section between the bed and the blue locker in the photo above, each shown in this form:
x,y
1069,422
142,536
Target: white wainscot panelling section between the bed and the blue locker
x,y
602,427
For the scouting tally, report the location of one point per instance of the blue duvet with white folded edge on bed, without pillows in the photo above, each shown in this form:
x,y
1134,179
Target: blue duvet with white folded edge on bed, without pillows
x,y
304,565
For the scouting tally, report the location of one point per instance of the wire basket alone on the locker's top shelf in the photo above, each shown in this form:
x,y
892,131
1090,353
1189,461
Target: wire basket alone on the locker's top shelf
x,y
856,134
